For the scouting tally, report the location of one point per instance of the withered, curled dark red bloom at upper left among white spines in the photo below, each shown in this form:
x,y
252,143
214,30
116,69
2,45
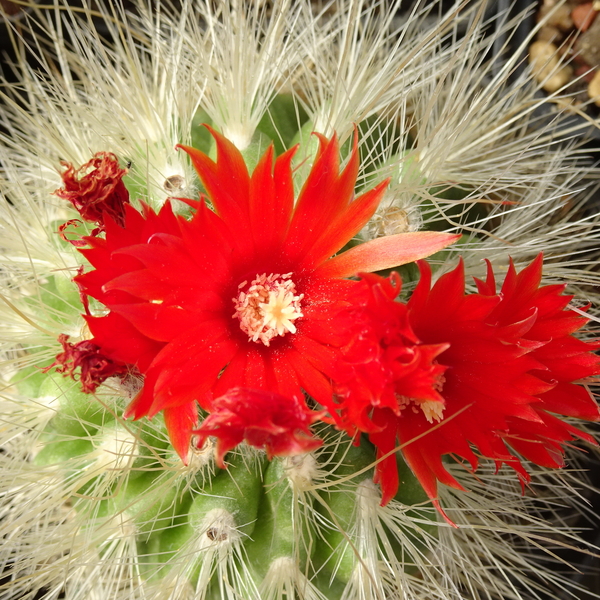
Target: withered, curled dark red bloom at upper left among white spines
x,y
96,189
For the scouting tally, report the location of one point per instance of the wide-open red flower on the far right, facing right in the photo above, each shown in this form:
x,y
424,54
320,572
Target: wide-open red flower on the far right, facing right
x,y
511,364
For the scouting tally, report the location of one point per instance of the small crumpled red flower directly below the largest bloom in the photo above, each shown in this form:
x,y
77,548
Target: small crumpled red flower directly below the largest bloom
x,y
279,424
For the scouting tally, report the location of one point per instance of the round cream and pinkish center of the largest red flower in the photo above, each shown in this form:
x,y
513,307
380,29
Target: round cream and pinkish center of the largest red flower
x,y
267,307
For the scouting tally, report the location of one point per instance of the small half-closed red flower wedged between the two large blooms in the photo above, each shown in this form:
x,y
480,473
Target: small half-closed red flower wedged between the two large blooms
x,y
390,366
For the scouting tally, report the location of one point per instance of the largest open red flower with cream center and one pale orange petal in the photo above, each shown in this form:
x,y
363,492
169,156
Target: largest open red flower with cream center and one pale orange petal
x,y
245,295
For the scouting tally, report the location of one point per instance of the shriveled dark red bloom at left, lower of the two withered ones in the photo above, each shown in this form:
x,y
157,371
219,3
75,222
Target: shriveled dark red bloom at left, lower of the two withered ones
x,y
86,356
